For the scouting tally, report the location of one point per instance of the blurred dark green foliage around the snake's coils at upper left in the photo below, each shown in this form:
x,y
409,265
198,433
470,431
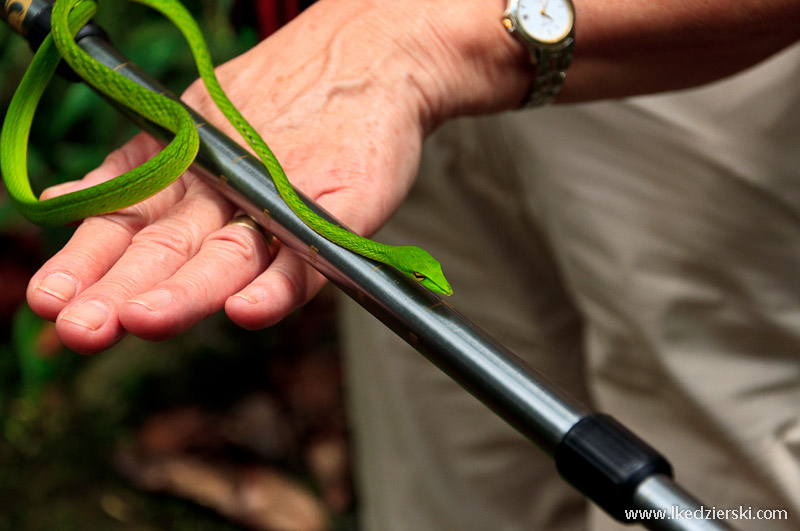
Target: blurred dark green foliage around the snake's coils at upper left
x,y
75,128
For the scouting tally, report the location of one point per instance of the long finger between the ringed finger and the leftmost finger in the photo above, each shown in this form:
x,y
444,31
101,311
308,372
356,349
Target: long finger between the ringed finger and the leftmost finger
x,y
90,321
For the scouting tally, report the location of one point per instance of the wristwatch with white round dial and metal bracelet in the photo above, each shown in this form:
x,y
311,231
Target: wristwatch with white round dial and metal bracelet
x,y
546,28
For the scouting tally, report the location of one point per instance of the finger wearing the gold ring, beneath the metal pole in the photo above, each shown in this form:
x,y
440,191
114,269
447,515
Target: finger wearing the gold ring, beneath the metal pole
x,y
227,261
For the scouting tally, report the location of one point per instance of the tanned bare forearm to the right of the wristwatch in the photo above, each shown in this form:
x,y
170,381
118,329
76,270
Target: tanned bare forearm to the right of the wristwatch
x,y
629,47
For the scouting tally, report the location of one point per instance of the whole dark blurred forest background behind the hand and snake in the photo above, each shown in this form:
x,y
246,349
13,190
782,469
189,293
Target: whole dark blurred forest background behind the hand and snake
x,y
219,428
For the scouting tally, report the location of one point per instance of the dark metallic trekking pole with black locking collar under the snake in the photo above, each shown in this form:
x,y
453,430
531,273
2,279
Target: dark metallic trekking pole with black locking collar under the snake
x,y
593,452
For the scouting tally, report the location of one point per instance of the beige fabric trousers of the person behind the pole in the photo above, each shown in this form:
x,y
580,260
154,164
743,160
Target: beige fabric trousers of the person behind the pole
x,y
645,253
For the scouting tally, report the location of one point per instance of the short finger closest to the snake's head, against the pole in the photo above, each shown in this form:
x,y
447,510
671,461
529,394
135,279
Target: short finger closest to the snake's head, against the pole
x,y
287,284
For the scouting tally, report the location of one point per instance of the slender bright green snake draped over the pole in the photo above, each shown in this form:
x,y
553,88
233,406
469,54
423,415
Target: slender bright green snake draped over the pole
x,y
138,184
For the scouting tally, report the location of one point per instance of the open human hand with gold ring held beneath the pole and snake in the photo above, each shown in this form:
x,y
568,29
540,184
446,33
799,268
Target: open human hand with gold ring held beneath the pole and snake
x,y
343,103
